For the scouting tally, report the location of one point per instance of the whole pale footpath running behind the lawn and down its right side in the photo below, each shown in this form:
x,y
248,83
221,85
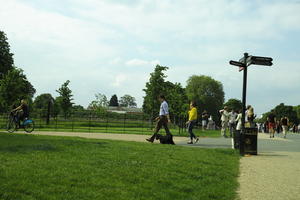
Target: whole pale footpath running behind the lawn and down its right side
x,y
274,174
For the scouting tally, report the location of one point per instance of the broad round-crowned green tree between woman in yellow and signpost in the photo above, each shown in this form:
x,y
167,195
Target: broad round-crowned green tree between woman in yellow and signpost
x,y
207,93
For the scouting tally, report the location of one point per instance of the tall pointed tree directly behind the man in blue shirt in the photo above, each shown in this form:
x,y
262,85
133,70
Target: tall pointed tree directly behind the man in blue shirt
x,y
154,87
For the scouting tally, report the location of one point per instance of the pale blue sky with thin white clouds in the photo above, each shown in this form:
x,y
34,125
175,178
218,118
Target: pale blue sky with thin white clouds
x,y
111,46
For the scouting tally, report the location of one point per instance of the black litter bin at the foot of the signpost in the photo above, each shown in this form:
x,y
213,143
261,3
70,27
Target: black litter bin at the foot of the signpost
x,y
250,141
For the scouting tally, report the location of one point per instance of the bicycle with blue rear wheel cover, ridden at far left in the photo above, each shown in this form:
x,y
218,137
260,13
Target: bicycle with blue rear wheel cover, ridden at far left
x,y
12,124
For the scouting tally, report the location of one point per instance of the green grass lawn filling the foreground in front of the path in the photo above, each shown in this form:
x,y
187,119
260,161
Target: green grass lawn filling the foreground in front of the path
x,y
45,167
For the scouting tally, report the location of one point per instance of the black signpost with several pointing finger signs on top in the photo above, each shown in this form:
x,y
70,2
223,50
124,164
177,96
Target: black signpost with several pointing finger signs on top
x,y
243,64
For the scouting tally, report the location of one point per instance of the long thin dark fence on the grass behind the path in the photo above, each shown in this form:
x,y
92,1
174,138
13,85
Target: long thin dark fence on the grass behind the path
x,y
102,123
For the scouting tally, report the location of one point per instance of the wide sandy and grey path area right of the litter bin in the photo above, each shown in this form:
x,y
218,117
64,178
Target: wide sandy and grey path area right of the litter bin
x,y
274,174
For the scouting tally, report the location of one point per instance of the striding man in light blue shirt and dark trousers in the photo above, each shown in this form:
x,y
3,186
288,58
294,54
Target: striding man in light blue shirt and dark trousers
x,y
162,120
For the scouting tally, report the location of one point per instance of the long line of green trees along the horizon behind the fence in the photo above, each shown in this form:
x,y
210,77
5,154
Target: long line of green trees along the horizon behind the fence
x,y
206,92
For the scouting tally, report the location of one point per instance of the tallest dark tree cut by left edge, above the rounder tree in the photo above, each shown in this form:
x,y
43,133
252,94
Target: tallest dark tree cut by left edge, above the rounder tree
x,y
6,58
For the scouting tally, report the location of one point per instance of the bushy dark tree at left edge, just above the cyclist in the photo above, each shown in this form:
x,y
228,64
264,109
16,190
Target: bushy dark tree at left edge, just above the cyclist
x,y
14,86
